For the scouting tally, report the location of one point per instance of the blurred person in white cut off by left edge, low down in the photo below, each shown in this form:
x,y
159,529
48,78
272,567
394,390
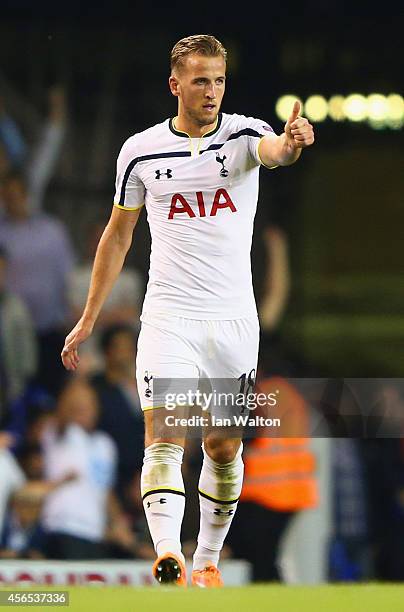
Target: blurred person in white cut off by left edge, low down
x,y
12,477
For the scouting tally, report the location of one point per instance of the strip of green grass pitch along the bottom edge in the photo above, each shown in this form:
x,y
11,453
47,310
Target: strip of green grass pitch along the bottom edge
x,y
361,598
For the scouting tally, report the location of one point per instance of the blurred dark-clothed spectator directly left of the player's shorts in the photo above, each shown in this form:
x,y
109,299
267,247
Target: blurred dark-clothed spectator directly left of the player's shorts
x,y
120,415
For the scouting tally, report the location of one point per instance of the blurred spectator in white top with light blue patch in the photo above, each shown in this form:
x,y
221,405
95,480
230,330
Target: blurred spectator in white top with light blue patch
x,y
76,516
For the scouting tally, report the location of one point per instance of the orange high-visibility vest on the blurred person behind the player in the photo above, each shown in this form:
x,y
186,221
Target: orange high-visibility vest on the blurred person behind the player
x,y
280,472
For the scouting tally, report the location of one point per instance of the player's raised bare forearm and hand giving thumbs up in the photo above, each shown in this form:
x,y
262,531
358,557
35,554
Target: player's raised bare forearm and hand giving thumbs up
x,y
285,149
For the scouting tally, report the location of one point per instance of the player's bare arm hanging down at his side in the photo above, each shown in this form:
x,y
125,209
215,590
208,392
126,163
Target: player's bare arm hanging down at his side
x,y
111,253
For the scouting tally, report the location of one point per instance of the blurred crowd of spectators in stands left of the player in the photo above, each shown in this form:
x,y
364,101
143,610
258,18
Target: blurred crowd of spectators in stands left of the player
x,y
70,448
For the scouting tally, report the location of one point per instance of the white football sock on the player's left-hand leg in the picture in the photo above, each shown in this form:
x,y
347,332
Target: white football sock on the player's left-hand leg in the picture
x,y
163,495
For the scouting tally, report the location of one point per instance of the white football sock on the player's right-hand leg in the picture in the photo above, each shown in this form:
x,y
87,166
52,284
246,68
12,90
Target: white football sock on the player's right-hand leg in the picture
x,y
219,489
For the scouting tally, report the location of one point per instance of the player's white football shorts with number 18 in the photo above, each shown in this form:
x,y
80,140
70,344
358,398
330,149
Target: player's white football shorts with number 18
x,y
177,356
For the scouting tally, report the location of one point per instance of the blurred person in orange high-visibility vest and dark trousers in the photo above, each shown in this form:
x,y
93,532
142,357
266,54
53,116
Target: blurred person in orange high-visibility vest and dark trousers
x,y
279,480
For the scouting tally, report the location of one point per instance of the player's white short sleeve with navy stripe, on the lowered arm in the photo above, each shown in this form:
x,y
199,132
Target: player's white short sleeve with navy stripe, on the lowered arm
x,y
129,189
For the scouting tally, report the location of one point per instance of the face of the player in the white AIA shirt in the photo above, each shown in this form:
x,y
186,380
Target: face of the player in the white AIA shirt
x,y
200,86
